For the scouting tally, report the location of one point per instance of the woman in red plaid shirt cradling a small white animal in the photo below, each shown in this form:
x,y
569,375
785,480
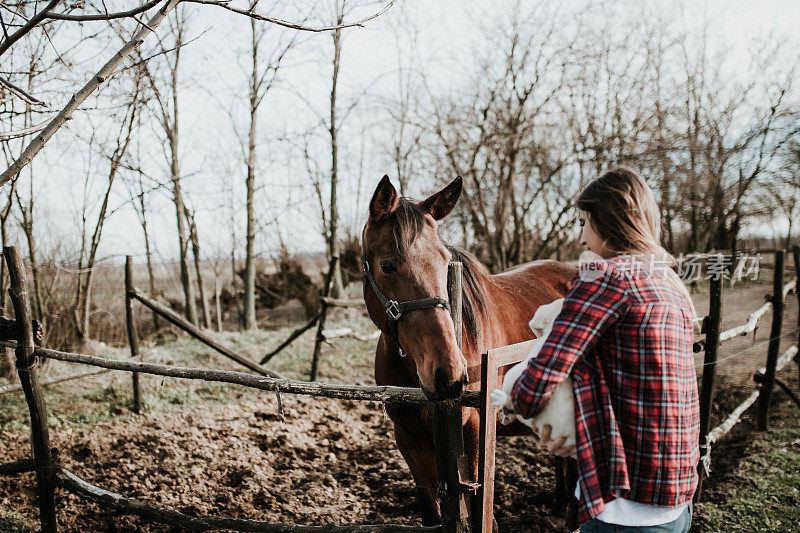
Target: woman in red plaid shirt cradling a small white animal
x,y
625,336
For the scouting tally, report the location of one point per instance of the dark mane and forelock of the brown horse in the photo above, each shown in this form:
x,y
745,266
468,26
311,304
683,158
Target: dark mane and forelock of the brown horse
x,y
407,222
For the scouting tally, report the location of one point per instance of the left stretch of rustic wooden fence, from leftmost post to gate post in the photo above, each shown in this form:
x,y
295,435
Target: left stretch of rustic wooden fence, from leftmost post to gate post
x,y
448,438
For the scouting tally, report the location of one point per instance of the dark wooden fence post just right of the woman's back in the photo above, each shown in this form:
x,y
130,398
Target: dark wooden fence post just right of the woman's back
x,y
712,328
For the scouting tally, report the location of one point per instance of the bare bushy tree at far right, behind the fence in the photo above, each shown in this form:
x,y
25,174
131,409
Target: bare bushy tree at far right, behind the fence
x,y
732,136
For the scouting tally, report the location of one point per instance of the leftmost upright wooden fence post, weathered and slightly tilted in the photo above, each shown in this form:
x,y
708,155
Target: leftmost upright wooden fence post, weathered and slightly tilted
x,y
26,368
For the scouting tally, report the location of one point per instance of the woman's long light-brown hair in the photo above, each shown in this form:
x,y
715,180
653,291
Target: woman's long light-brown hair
x,y
624,213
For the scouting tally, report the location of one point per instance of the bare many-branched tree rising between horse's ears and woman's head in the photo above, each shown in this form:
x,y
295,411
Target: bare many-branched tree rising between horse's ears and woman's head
x,y
505,140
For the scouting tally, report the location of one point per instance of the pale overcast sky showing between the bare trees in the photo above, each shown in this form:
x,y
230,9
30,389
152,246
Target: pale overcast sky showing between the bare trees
x,y
445,36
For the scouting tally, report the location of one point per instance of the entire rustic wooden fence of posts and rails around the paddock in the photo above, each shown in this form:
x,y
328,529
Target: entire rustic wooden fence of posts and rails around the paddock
x,y
454,489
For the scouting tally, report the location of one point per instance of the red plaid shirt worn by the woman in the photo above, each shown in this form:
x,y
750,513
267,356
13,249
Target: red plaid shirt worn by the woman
x,y
626,340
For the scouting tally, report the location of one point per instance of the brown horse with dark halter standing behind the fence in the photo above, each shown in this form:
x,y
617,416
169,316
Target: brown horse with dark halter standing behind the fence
x,y
408,261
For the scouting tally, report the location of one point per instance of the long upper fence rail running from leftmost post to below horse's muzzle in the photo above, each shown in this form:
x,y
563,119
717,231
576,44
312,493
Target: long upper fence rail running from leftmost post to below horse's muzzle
x,y
381,393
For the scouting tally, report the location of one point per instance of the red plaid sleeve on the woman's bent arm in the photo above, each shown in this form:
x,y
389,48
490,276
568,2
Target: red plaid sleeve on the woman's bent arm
x,y
592,304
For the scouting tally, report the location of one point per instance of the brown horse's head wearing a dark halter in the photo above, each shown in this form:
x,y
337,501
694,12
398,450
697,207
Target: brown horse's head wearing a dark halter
x,y
408,262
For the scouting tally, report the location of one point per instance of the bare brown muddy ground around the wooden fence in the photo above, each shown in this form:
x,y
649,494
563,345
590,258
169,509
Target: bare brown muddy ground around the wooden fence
x,y
332,461
